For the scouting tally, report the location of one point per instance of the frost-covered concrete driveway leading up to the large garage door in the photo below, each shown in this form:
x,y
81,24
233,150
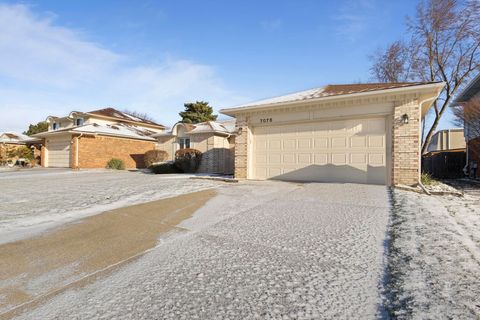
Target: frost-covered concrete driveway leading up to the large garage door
x,y
257,250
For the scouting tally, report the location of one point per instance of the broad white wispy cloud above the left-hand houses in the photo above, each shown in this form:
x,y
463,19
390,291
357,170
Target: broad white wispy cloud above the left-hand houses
x,y
49,69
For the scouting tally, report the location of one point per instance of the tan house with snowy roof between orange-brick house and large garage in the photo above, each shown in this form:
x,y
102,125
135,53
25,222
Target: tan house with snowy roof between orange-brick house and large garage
x,y
214,139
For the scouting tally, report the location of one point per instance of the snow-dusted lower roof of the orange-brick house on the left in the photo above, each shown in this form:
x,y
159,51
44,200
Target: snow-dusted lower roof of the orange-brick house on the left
x,y
115,130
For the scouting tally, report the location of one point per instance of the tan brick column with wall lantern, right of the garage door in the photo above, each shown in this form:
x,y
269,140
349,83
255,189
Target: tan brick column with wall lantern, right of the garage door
x,y
406,144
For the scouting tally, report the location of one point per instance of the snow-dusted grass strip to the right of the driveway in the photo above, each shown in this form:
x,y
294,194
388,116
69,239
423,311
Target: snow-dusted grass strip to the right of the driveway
x,y
435,257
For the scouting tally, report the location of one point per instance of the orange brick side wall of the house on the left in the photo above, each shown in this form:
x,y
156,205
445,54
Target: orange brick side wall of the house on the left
x,y
95,152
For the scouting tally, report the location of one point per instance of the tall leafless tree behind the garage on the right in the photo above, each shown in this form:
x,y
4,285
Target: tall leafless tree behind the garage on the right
x,y
443,46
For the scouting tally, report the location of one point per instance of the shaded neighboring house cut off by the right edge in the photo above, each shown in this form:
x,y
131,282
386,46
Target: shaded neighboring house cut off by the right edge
x,y
467,97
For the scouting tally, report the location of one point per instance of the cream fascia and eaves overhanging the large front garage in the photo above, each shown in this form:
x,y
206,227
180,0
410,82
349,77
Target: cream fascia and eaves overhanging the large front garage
x,y
428,92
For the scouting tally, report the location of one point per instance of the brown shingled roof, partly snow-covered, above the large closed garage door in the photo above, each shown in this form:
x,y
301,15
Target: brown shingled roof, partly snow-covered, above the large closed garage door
x,y
329,91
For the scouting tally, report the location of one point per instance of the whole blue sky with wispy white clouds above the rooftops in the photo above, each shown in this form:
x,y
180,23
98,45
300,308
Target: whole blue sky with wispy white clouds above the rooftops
x,y
152,56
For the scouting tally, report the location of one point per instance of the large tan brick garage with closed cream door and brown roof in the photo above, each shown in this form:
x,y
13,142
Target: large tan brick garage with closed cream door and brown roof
x,y
363,133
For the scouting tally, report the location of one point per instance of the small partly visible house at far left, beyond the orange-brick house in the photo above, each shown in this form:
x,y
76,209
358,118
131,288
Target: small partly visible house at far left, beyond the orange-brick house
x,y
11,141
